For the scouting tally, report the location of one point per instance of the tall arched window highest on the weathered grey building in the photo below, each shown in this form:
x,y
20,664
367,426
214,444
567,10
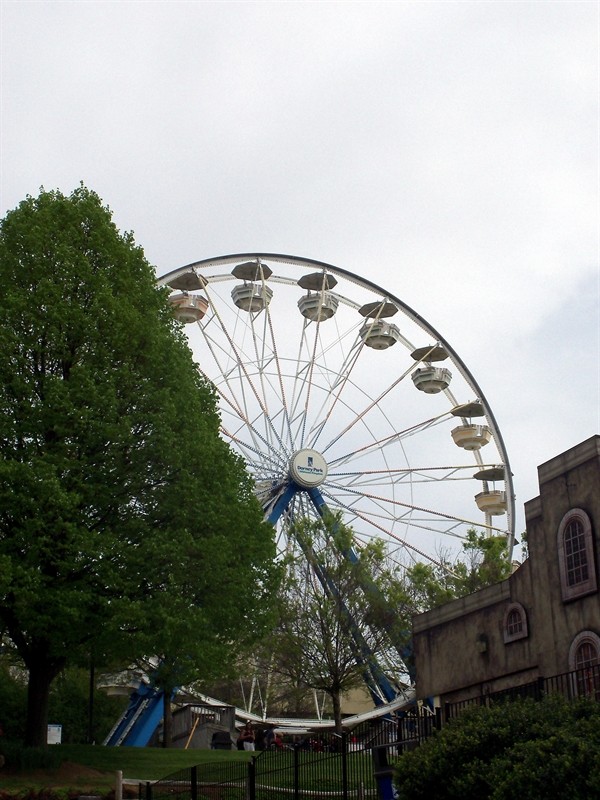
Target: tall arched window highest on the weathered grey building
x,y
576,561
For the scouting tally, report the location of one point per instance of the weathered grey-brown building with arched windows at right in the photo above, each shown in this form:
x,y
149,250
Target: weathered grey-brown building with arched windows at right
x,y
544,620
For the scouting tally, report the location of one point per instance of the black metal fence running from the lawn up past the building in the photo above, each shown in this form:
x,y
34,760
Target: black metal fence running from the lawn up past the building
x,y
356,764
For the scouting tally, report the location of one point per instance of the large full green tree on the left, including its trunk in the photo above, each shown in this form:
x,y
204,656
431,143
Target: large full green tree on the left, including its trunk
x,y
121,509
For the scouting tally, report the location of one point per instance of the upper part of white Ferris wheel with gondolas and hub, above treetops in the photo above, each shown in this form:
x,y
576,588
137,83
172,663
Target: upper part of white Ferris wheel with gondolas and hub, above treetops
x,y
337,394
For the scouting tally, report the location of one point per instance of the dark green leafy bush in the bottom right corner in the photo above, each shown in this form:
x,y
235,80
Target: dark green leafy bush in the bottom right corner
x,y
546,749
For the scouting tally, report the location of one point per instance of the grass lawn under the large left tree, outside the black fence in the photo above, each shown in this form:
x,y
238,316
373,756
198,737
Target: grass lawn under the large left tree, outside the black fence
x,y
91,768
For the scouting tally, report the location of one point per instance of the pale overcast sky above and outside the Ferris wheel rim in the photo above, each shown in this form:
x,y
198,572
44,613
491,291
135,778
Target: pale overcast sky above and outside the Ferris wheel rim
x,y
447,151
